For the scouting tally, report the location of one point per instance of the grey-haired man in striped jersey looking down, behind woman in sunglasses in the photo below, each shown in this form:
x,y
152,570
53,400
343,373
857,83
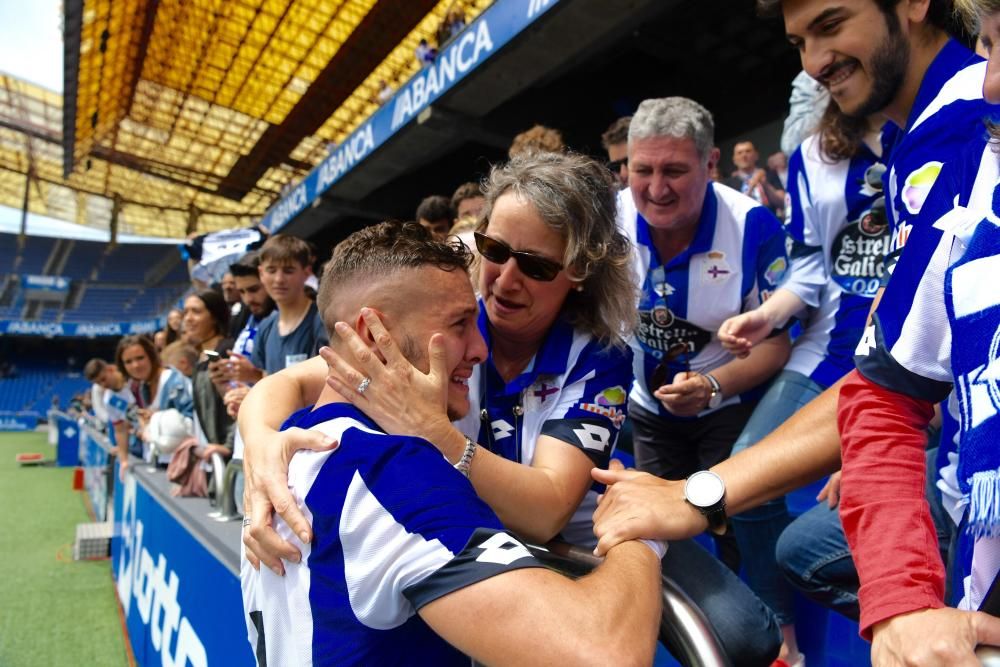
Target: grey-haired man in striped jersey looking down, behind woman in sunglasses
x,y
704,253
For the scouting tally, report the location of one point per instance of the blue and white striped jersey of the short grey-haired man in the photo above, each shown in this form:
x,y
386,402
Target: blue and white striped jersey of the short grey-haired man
x,y
736,260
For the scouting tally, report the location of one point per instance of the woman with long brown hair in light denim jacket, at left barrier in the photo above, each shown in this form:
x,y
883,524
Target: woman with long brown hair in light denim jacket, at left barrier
x,y
154,386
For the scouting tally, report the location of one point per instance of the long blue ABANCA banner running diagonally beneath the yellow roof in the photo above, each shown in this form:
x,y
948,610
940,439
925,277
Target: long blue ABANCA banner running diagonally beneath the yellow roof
x,y
499,24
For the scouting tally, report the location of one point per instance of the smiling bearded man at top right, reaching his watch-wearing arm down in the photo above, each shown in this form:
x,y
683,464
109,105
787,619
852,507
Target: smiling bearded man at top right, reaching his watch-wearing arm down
x,y
892,57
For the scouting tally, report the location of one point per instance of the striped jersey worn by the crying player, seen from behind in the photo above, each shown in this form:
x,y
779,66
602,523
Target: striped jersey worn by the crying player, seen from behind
x,y
395,527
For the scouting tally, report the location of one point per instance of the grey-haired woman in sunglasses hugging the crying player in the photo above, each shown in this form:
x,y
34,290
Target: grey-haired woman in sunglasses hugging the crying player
x,y
556,300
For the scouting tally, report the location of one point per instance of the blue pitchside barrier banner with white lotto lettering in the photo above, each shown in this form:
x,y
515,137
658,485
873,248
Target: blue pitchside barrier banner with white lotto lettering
x,y
182,606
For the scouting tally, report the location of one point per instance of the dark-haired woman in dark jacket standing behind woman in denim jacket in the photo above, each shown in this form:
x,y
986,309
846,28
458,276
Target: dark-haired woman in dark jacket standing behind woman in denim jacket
x,y
206,320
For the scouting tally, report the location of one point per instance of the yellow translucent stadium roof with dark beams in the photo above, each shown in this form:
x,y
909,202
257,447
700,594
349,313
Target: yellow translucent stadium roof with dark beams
x,y
184,115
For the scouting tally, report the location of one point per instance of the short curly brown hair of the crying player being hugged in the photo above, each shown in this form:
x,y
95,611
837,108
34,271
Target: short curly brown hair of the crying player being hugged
x,y
375,253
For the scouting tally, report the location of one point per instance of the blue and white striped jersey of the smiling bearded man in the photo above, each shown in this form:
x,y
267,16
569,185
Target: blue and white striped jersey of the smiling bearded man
x,y
948,106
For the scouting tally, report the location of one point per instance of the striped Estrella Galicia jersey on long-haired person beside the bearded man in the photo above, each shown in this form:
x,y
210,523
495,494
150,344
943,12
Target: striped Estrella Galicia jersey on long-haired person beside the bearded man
x,y
839,241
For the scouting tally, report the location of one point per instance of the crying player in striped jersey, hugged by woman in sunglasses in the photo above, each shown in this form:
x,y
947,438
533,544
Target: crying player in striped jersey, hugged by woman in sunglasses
x,y
406,562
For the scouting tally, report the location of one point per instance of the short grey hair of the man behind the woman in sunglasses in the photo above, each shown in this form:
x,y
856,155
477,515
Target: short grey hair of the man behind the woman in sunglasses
x,y
677,117
